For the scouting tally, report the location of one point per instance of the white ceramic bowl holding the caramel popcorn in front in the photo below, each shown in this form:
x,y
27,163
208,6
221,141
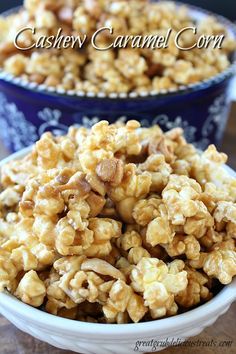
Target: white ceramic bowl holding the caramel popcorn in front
x,y
93,338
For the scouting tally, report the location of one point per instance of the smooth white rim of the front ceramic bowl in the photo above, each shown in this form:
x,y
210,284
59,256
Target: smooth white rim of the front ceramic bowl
x,y
203,312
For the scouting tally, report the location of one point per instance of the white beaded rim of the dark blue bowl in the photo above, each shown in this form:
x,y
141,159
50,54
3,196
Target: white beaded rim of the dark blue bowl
x,y
133,95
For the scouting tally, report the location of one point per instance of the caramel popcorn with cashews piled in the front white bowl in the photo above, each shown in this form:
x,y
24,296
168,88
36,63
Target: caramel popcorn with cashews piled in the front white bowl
x,y
117,224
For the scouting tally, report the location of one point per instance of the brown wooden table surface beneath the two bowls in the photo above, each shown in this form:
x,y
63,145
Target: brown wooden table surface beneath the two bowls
x,y
13,341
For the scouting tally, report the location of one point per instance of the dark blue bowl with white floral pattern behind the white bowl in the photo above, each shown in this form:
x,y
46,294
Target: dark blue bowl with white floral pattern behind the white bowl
x,y
27,109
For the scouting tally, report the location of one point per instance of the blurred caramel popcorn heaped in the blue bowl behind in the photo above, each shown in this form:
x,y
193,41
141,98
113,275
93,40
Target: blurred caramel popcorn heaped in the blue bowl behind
x,y
121,68
